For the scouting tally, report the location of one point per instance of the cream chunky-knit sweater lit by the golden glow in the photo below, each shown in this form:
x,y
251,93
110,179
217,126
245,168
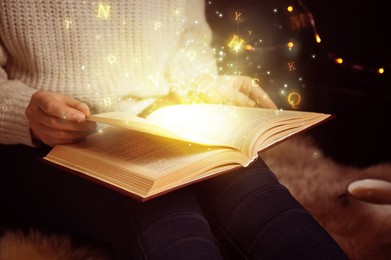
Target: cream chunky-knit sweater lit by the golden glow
x,y
100,53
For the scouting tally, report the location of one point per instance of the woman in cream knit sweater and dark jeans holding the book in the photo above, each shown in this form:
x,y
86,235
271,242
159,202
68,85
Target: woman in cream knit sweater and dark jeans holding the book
x,y
61,61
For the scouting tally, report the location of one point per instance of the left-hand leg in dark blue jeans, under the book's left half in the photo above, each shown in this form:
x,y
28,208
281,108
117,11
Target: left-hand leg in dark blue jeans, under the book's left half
x,y
41,196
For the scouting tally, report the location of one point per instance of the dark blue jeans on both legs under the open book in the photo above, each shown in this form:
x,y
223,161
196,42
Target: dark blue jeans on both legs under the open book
x,y
245,214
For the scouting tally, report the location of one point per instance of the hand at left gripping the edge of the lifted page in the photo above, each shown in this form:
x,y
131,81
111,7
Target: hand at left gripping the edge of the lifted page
x,y
58,119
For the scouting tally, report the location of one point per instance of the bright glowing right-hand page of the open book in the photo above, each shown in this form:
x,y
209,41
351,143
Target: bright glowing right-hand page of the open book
x,y
233,126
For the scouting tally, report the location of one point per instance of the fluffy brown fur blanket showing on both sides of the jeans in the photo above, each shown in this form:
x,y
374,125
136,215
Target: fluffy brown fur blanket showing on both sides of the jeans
x,y
362,229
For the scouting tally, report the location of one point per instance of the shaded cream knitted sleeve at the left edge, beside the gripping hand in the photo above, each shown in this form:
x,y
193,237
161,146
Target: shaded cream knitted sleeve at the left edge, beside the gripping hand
x,y
14,98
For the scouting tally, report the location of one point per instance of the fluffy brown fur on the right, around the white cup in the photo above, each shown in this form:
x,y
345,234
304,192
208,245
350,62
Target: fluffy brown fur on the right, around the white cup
x,y
362,229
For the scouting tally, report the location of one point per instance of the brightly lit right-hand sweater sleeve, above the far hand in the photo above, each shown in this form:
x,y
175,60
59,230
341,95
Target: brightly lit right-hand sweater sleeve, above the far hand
x,y
193,65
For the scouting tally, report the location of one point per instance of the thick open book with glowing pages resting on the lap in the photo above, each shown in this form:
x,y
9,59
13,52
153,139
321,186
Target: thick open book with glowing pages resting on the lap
x,y
177,145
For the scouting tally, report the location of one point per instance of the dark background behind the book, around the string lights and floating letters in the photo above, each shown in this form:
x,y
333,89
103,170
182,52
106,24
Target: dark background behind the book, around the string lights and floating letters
x,y
359,97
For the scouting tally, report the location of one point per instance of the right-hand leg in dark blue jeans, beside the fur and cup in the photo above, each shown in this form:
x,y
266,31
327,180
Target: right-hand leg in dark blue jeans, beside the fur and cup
x,y
254,216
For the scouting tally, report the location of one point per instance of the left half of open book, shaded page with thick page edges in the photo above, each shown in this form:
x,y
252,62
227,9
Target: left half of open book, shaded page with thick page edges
x,y
143,164
